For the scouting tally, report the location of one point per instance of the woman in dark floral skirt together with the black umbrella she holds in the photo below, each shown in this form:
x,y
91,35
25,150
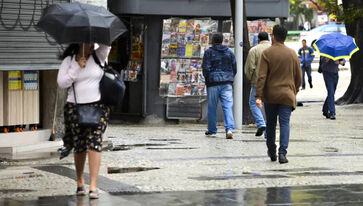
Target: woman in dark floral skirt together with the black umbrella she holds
x,y
82,25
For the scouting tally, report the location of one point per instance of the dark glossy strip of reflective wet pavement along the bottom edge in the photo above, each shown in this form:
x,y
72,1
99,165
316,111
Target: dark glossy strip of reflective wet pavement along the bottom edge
x,y
301,195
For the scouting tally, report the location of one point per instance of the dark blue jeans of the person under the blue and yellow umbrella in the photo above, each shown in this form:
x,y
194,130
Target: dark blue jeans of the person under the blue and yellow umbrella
x,y
331,82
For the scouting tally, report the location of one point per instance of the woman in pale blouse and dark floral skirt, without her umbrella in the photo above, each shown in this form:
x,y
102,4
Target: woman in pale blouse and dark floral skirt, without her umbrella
x,y
80,70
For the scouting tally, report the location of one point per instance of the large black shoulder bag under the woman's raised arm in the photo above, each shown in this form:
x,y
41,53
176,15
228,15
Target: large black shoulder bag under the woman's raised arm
x,y
112,88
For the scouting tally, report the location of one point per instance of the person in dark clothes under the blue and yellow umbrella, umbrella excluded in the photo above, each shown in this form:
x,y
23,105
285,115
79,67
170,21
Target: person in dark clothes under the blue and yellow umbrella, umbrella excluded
x,y
330,69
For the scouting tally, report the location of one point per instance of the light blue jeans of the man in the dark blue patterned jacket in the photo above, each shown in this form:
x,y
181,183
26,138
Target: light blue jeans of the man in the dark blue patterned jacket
x,y
225,94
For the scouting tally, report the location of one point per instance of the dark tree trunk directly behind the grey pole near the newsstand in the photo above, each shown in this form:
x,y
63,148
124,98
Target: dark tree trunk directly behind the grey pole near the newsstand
x,y
247,115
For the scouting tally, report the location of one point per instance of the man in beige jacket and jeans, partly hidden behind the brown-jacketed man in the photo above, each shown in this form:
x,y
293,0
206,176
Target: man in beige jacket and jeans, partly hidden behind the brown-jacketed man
x,y
251,71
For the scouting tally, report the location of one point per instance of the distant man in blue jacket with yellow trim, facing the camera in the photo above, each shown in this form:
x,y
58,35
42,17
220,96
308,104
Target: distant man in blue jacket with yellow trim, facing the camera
x,y
306,56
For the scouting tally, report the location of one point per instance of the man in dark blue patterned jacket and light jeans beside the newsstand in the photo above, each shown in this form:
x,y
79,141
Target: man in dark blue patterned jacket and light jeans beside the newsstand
x,y
219,69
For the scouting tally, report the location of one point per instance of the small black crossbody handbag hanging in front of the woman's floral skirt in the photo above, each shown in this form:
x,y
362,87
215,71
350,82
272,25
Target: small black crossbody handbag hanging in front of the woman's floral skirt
x,y
88,115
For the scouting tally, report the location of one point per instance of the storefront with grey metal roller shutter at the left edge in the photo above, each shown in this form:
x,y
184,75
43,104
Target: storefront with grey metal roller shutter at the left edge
x,y
28,71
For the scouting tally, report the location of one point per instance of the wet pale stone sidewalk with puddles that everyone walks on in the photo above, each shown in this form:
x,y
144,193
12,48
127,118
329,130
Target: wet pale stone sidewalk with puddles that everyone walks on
x,y
176,164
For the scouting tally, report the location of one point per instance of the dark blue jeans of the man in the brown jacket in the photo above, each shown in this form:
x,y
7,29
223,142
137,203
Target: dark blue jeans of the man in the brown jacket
x,y
284,113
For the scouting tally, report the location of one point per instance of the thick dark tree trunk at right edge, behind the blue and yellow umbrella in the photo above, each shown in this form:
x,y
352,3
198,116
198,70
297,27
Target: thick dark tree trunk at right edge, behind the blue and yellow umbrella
x,y
354,93
